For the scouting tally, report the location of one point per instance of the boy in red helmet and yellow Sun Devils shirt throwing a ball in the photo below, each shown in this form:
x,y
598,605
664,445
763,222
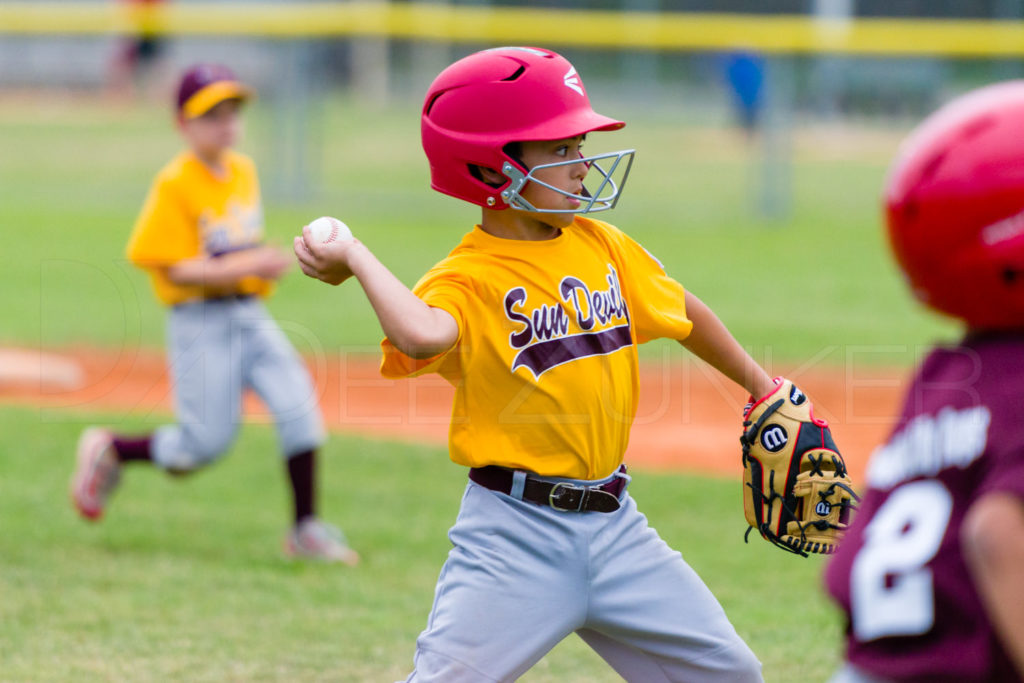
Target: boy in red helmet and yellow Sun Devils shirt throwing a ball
x,y
536,318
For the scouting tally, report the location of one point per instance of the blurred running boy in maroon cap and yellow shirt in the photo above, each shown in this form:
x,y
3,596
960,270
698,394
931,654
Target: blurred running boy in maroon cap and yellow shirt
x,y
200,237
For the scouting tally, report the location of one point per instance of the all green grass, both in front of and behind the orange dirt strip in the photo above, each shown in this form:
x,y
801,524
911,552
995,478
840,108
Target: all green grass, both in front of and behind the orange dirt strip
x,y
185,580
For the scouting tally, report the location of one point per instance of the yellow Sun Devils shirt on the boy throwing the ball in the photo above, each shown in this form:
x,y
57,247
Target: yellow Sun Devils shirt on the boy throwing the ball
x,y
545,368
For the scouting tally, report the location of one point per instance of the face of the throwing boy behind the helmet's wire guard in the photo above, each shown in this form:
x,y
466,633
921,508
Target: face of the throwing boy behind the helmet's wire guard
x,y
569,178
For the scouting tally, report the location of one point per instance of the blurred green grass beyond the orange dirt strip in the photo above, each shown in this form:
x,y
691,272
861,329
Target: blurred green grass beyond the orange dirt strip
x,y
75,175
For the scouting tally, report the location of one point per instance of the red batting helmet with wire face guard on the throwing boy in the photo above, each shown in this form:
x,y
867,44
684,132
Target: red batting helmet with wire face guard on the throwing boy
x,y
485,102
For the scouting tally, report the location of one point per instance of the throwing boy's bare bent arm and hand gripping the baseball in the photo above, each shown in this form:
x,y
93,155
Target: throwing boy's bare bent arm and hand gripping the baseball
x,y
414,328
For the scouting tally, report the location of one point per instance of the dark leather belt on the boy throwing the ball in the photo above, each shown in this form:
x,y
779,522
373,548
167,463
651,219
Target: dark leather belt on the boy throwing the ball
x,y
561,496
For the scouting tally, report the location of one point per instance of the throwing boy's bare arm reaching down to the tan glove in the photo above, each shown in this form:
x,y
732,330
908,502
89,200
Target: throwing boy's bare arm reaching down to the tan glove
x,y
712,343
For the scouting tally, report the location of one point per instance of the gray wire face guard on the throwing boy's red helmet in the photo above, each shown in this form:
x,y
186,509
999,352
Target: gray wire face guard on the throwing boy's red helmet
x,y
605,197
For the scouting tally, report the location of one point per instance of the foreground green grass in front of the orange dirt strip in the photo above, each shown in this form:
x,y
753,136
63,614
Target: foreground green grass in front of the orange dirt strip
x,y
184,580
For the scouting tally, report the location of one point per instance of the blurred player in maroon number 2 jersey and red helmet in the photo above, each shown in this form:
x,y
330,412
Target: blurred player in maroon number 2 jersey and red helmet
x,y
930,573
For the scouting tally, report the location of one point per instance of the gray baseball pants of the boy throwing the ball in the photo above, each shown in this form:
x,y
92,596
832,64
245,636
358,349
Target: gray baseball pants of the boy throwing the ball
x,y
521,578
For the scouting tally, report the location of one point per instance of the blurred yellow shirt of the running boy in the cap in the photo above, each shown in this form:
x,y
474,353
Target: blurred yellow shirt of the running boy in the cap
x,y
192,214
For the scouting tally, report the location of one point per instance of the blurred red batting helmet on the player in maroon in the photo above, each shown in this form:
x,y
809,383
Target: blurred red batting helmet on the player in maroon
x,y
956,208
